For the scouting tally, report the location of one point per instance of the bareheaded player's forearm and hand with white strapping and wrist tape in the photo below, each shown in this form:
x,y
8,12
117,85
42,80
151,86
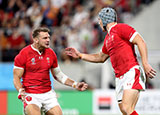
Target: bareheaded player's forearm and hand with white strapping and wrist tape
x,y
62,78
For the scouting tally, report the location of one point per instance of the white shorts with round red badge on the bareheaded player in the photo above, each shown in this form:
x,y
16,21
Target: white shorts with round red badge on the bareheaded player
x,y
44,101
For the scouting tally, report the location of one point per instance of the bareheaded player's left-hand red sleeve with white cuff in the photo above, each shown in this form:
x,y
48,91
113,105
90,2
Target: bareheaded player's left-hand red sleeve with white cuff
x,y
20,60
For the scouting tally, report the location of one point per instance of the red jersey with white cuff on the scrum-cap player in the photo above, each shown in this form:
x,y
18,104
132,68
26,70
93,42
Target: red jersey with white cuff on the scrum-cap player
x,y
118,46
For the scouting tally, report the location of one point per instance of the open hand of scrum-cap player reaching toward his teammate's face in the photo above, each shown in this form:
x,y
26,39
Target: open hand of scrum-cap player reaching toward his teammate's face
x,y
72,52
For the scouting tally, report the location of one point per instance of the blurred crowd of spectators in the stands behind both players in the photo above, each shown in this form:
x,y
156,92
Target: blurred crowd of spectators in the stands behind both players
x,y
73,23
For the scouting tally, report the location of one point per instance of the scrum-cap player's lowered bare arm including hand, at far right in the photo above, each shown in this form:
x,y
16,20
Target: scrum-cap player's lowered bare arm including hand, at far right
x,y
150,72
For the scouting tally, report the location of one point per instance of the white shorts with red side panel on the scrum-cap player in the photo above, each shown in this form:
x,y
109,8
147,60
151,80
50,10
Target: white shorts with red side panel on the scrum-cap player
x,y
133,79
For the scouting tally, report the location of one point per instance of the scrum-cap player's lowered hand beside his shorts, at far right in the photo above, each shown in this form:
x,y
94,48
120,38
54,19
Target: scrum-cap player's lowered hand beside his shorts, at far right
x,y
150,72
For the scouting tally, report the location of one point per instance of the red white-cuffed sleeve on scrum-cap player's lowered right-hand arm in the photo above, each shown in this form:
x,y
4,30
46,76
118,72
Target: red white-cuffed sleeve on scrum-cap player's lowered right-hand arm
x,y
127,32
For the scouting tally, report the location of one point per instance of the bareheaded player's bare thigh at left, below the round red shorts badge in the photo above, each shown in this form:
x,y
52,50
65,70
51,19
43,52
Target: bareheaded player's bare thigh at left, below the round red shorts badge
x,y
32,109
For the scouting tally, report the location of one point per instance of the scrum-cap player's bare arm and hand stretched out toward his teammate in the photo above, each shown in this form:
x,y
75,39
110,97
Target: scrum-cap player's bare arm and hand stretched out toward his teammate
x,y
95,58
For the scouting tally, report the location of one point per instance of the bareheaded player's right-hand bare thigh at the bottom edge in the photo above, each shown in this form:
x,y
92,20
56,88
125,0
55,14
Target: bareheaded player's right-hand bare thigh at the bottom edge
x,y
54,111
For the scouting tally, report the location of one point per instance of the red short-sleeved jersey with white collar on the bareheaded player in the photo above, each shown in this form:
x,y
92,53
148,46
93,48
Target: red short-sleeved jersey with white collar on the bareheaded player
x,y
36,67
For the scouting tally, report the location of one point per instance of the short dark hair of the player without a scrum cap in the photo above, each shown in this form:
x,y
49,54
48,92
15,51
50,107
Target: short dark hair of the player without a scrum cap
x,y
38,30
